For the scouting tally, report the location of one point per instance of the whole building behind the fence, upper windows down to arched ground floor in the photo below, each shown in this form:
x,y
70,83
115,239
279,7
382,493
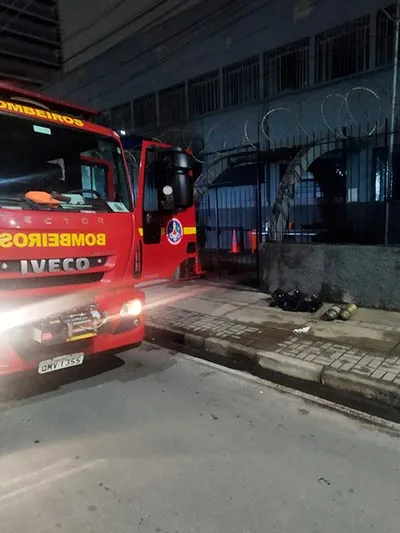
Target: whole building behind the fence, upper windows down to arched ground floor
x,y
286,104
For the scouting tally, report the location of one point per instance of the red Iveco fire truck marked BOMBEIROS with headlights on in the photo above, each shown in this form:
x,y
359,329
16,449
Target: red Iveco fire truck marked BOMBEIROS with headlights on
x,y
70,249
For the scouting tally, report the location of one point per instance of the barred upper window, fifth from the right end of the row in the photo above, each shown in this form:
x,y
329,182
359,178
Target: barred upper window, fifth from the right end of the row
x,y
204,94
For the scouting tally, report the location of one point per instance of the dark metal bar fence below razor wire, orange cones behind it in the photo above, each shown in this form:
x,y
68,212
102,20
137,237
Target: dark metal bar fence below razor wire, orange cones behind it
x,y
334,189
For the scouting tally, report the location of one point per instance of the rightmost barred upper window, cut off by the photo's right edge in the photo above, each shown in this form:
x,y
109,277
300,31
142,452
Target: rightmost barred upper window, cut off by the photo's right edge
x,y
385,36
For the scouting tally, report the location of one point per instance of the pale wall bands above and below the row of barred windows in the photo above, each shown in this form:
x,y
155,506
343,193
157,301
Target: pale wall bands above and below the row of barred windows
x,y
199,40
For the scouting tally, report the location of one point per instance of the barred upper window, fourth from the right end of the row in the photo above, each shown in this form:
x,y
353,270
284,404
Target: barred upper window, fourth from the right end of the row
x,y
241,82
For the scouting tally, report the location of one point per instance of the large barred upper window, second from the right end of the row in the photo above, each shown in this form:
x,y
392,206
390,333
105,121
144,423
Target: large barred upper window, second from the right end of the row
x,y
343,50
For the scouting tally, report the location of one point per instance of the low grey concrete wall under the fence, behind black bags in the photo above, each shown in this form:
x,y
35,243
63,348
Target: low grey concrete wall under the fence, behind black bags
x,y
365,275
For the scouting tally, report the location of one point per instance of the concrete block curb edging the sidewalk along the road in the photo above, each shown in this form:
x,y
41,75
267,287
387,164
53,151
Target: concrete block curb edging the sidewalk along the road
x,y
343,383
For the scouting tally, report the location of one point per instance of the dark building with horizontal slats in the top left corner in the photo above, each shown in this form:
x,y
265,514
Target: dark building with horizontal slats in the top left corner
x,y
30,45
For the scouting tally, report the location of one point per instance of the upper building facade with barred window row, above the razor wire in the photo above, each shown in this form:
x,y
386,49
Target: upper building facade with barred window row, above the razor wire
x,y
220,61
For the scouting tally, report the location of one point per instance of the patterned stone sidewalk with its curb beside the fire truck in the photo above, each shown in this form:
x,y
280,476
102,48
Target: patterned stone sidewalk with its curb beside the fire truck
x,y
360,356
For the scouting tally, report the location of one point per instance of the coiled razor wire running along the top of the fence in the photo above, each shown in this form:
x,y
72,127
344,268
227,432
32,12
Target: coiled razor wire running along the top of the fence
x,y
358,110
